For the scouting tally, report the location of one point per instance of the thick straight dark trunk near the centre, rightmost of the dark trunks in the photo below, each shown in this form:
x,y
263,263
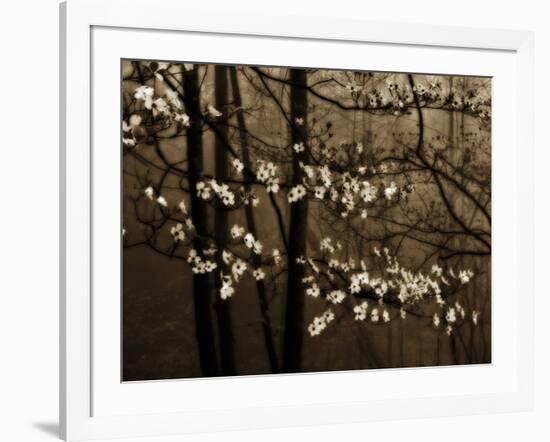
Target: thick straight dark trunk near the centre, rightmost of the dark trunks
x,y
294,312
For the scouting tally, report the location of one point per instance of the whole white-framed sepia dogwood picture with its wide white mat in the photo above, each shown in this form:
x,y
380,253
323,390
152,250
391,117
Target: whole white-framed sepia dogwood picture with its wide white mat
x,y
281,221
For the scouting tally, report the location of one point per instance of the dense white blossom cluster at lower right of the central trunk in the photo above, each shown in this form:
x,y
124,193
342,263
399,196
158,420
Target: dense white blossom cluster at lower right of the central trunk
x,y
406,287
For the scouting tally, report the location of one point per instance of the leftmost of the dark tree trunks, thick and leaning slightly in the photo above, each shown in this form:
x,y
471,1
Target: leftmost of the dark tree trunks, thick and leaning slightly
x,y
201,287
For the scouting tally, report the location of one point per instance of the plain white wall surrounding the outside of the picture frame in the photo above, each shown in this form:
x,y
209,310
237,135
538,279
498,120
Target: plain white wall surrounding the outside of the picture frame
x,y
29,220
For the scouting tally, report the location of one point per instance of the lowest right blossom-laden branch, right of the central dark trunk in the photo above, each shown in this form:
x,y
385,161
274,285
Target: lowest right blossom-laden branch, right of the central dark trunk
x,y
373,293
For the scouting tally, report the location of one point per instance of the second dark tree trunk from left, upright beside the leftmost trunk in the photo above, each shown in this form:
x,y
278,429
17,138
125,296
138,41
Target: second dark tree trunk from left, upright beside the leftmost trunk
x,y
225,331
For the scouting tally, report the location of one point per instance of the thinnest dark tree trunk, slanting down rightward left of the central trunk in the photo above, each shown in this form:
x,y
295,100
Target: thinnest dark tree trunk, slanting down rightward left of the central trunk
x,y
267,327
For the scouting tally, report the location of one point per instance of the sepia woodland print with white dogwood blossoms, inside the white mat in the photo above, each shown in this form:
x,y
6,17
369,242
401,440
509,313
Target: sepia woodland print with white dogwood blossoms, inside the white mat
x,y
295,220
